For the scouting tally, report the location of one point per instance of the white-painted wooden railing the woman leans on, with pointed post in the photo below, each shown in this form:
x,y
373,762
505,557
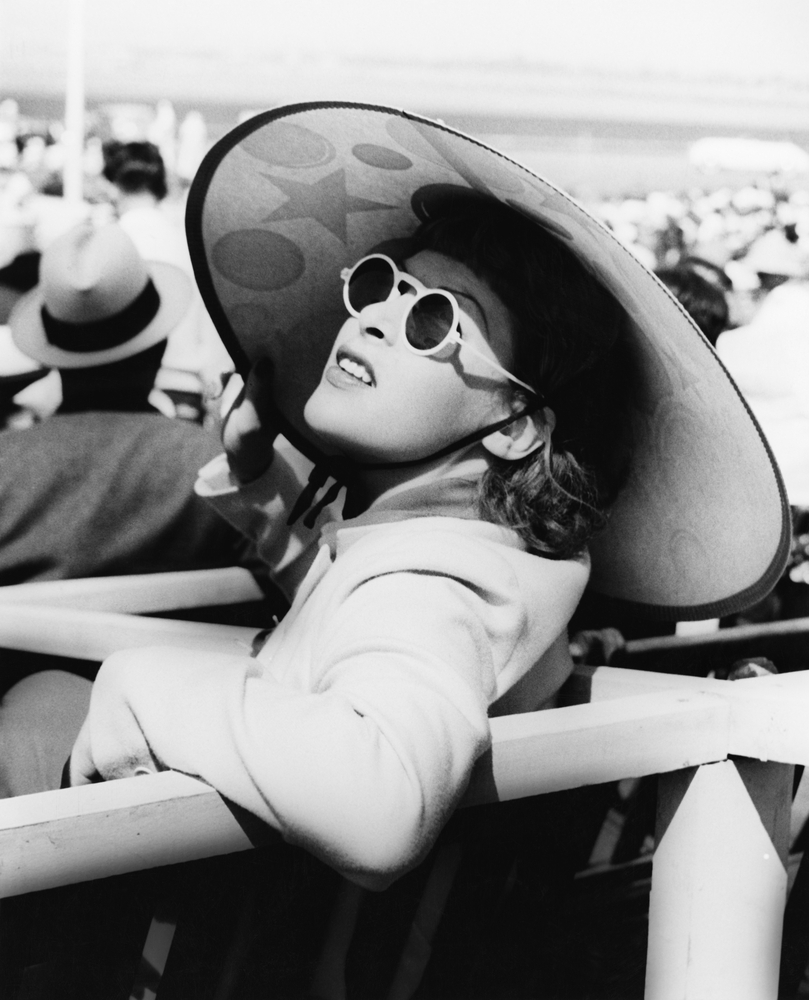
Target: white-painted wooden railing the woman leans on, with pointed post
x,y
724,753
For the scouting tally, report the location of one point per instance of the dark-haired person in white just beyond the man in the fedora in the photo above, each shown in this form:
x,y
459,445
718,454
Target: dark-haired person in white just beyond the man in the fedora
x,y
195,359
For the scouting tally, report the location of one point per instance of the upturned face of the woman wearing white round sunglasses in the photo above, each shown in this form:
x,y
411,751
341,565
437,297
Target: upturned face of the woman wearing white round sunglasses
x,y
377,401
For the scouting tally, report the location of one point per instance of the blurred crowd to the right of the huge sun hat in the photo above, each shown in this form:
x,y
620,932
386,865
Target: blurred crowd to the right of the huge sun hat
x,y
737,259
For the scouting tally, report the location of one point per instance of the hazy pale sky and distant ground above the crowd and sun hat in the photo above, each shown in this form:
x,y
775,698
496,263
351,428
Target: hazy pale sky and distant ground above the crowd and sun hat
x,y
631,80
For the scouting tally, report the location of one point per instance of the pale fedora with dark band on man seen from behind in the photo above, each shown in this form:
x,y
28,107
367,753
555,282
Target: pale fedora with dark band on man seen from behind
x,y
97,300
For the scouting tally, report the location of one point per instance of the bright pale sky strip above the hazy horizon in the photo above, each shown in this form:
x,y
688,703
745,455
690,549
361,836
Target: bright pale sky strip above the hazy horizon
x,y
737,38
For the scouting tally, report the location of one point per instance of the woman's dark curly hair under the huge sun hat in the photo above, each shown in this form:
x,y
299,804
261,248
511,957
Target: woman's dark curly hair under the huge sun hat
x,y
571,343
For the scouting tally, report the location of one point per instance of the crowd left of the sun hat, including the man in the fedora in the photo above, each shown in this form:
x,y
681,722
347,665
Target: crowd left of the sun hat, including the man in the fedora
x,y
111,371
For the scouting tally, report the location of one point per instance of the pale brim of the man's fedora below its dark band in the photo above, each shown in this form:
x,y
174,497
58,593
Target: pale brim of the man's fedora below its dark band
x,y
174,287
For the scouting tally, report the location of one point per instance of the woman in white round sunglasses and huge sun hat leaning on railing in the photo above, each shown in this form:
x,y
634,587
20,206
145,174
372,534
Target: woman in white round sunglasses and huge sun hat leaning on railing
x,y
510,407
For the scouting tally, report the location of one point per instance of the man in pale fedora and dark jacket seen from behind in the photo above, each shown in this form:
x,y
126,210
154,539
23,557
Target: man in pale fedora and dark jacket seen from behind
x,y
105,485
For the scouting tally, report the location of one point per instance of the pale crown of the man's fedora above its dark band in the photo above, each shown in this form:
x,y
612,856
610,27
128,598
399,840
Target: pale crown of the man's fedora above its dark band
x,y
90,274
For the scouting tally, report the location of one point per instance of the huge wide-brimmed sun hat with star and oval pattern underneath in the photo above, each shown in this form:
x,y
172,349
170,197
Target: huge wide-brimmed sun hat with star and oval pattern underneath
x,y
290,197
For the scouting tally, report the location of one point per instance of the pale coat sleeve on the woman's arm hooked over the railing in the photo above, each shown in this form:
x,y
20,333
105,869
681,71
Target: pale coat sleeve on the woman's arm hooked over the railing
x,y
363,767
